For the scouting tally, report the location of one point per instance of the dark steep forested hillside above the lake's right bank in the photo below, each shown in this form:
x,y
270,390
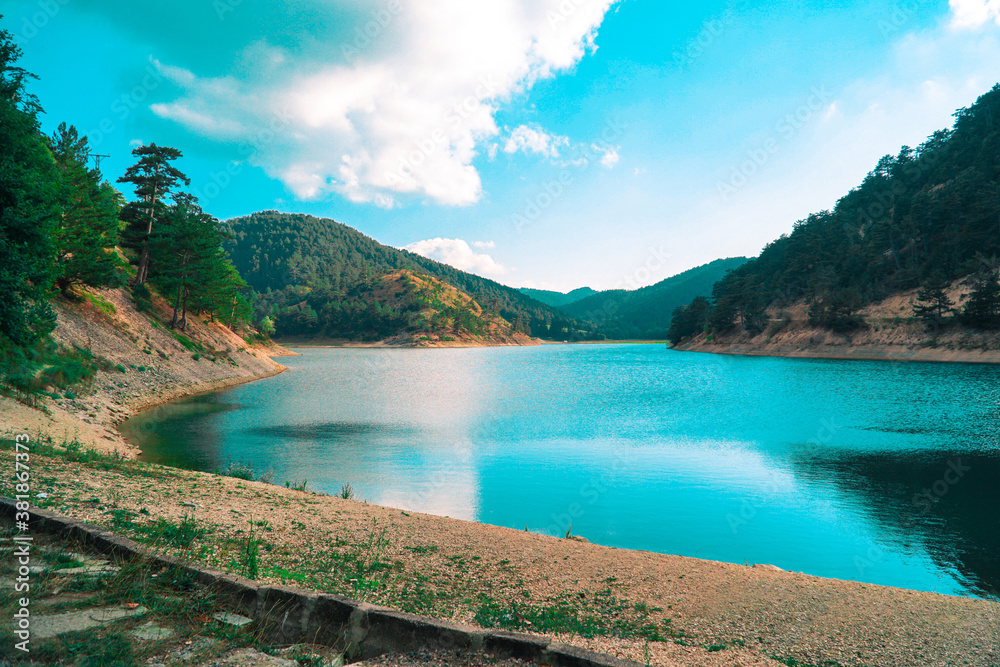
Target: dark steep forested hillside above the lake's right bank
x,y
926,217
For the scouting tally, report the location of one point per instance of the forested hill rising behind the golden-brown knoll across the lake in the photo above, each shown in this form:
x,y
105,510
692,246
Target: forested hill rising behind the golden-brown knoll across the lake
x,y
307,269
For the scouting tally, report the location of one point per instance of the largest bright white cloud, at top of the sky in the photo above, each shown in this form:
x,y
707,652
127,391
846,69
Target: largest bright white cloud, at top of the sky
x,y
405,119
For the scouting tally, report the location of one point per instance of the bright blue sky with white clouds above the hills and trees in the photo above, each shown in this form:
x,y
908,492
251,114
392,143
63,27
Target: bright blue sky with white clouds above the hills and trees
x,y
545,143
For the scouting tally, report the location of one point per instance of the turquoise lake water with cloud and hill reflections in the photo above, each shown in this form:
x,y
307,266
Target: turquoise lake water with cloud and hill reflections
x,y
879,472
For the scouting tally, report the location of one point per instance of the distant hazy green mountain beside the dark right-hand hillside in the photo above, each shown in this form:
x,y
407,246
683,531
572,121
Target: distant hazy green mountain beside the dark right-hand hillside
x,y
646,313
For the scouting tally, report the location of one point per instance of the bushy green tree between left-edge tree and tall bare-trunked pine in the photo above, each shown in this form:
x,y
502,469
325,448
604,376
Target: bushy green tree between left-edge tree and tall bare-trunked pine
x,y
88,231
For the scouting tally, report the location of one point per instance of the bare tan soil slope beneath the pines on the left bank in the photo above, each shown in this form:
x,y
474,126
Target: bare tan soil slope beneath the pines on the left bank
x,y
150,363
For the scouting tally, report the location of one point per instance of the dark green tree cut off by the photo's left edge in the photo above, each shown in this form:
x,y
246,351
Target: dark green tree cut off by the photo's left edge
x,y
28,206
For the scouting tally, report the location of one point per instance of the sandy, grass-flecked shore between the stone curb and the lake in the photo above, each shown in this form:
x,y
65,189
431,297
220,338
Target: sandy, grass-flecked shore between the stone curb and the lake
x,y
449,568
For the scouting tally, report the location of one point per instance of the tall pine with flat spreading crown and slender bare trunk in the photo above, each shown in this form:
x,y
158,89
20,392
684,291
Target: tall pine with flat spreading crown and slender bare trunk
x,y
154,179
